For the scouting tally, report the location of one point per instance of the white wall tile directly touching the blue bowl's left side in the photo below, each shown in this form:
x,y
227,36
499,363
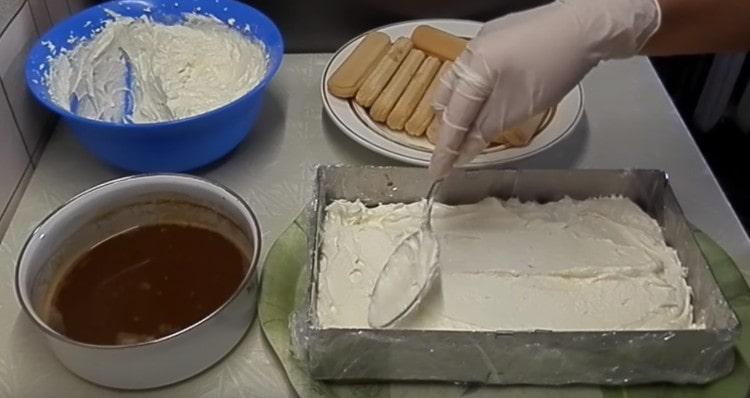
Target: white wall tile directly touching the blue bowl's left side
x,y
18,38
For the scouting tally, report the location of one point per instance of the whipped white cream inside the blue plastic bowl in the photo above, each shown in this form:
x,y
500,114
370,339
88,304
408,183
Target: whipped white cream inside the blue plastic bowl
x,y
177,71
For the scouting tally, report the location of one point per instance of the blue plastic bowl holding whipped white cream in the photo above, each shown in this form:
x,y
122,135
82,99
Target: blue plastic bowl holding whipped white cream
x,y
178,145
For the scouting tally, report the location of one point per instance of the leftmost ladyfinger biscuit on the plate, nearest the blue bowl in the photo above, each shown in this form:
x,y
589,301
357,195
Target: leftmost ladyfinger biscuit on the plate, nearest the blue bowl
x,y
349,76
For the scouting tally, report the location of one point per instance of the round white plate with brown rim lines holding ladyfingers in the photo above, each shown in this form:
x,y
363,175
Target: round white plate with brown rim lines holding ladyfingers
x,y
354,121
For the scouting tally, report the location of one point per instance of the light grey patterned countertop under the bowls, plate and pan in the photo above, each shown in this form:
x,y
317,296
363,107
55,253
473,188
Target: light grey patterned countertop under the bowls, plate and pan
x,y
629,123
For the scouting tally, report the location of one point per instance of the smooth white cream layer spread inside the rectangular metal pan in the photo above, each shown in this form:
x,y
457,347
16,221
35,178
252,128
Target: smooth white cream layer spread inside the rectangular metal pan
x,y
598,264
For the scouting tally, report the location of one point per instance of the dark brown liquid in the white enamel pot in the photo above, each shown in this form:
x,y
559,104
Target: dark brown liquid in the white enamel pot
x,y
146,283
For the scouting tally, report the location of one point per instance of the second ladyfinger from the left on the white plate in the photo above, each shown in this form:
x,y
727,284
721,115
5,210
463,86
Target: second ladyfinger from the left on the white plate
x,y
383,71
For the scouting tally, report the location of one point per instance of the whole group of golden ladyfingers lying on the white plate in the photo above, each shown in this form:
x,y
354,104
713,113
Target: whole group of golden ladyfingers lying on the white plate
x,y
395,81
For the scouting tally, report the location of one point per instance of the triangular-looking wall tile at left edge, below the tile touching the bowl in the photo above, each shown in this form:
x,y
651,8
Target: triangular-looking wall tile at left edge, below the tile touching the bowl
x,y
13,156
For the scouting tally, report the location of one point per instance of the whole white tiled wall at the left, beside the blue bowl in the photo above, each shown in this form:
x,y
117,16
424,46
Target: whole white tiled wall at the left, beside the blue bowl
x,y
24,125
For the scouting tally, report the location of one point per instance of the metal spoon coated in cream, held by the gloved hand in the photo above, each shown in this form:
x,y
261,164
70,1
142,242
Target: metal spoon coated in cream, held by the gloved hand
x,y
408,273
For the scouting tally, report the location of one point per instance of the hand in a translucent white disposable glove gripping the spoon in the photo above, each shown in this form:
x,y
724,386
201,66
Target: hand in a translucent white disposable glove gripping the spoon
x,y
525,62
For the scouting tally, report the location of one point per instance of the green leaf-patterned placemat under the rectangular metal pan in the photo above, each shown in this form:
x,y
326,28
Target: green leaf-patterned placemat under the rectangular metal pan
x,y
280,292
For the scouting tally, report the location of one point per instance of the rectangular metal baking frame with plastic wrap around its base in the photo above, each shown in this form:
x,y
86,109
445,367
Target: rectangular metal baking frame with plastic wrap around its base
x,y
527,357
